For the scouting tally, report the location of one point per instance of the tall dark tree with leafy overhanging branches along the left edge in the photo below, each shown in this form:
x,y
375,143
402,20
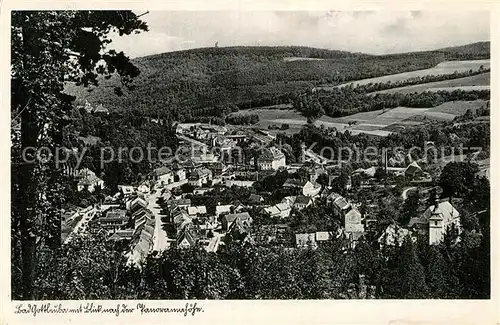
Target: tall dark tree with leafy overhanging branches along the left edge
x,y
48,49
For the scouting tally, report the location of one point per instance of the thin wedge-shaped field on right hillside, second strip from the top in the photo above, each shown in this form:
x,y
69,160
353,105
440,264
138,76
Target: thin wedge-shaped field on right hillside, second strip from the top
x,y
480,81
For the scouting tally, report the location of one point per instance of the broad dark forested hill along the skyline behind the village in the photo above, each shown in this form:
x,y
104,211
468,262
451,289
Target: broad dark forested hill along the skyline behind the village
x,y
177,83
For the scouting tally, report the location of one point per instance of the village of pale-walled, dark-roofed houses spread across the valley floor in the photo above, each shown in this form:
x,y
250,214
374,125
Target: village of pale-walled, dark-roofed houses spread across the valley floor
x,y
178,204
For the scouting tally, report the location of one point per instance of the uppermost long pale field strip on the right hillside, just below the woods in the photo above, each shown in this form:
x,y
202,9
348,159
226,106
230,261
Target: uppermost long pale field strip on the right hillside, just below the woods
x,y
447,67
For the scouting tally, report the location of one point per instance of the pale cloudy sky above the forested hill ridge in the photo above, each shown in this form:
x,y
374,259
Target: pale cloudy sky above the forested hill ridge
x,y
376,32
